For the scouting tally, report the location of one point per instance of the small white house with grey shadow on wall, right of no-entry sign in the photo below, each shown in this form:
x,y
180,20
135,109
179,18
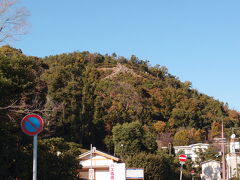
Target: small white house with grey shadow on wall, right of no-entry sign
x,y
211,170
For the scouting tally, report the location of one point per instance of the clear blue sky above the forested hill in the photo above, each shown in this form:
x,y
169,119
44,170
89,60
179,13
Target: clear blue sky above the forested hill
x,y
197,40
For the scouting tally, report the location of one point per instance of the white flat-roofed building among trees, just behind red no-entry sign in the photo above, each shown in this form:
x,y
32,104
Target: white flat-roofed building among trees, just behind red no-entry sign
x,y
191,150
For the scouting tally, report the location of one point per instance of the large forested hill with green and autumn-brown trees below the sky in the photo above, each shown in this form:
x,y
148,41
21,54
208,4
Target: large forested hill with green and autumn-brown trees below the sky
x,y
83,96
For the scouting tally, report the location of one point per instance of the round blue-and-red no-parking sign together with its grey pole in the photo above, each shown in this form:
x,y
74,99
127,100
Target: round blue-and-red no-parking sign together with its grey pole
x,y
32,125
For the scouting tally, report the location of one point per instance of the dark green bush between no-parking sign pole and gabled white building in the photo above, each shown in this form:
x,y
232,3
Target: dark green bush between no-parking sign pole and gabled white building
x,y
58,159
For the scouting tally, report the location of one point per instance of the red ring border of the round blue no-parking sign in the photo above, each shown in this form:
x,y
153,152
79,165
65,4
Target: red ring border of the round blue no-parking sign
x,y
38,130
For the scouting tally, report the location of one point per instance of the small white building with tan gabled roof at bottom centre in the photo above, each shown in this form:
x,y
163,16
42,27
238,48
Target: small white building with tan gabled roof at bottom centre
x,y
103,166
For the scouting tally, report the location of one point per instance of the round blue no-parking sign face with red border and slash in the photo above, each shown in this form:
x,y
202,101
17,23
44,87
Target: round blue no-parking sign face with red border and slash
x,y
32,124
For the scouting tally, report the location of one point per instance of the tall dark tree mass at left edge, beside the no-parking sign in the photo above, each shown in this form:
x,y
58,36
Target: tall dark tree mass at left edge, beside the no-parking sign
x,y
21,92
